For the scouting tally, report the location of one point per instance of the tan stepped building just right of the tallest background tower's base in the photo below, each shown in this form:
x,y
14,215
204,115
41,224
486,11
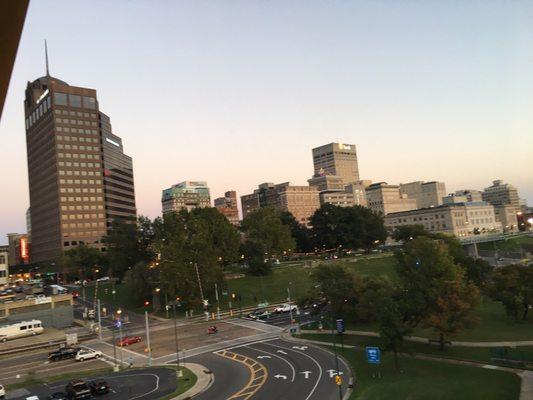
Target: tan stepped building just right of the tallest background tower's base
x,y
385,199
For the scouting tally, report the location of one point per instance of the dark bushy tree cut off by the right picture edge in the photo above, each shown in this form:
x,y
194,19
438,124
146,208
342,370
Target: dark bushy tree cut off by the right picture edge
x,y
512,285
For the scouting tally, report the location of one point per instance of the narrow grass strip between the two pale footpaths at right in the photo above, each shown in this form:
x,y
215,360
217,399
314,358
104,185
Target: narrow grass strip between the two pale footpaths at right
x,y
476,354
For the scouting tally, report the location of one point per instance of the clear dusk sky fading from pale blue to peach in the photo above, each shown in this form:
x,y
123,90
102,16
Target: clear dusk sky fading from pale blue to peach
x,y
238,92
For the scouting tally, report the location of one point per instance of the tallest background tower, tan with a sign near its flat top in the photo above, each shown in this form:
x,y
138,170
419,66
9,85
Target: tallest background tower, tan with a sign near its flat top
x,y
336,159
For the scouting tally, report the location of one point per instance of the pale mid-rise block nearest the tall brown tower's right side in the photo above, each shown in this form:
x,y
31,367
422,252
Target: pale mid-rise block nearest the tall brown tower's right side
x,y
186,195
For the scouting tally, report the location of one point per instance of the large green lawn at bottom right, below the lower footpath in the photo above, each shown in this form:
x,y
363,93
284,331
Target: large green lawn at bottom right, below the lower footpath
x,y
424,379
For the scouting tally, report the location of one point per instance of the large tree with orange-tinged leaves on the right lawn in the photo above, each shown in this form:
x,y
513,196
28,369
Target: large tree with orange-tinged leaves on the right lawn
x,y
435,290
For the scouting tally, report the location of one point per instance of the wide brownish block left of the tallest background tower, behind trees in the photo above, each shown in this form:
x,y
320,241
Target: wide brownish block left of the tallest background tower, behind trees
x,y
300,201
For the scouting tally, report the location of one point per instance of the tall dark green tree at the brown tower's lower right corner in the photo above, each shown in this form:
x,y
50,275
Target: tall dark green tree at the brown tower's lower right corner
x,y
128,243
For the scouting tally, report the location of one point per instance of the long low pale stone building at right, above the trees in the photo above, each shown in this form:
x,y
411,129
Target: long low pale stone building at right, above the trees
x,y
459,219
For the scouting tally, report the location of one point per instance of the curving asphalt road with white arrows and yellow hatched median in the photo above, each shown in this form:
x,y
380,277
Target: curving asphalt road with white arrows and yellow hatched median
x,y
293,371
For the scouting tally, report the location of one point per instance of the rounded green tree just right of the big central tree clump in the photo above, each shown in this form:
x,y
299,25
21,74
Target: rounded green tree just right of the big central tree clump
x,y
265,236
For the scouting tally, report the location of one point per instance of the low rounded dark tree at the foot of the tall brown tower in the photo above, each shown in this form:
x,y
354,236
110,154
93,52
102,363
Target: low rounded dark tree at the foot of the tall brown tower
x,y
81,261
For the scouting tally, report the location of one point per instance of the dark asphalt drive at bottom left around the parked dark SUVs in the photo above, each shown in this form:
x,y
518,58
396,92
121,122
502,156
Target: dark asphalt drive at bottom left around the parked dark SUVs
x,y
138,384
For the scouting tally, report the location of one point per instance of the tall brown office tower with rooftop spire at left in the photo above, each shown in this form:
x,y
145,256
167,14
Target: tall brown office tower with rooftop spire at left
x,y
67,146
